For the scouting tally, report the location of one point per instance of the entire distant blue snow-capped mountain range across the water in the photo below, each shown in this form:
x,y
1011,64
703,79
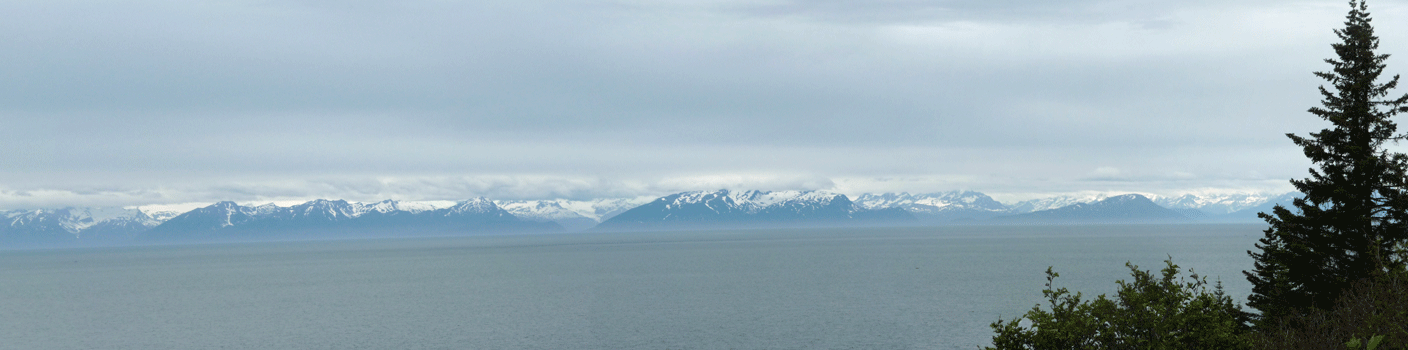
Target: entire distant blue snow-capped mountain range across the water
x,y
695,210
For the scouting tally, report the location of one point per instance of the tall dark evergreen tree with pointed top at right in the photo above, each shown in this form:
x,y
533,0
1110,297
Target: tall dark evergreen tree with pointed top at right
x,y
1355,210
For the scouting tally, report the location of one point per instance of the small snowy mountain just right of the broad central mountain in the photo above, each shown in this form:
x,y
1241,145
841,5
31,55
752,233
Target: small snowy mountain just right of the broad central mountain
x,y
937,207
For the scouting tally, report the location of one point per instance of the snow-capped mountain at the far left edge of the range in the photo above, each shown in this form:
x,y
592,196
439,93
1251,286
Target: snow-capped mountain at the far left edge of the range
x,y
73,226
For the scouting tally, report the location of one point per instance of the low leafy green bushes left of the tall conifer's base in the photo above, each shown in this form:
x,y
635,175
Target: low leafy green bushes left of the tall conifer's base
x,y
1164,311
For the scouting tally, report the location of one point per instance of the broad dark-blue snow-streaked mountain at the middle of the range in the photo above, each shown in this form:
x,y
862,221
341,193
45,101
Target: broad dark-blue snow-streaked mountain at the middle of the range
x,y
726,209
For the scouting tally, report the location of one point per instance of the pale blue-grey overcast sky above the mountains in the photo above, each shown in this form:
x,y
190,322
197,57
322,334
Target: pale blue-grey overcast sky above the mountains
x,y
150,102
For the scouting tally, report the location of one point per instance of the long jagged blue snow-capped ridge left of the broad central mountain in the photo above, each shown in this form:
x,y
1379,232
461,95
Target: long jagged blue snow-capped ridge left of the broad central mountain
x,y
325,219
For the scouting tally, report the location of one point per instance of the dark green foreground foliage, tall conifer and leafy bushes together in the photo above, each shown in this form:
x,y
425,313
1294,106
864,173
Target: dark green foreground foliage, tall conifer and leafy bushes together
x,y
1330,269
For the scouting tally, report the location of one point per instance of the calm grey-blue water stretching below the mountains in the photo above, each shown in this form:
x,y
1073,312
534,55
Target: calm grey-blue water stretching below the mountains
x,y
803,289
